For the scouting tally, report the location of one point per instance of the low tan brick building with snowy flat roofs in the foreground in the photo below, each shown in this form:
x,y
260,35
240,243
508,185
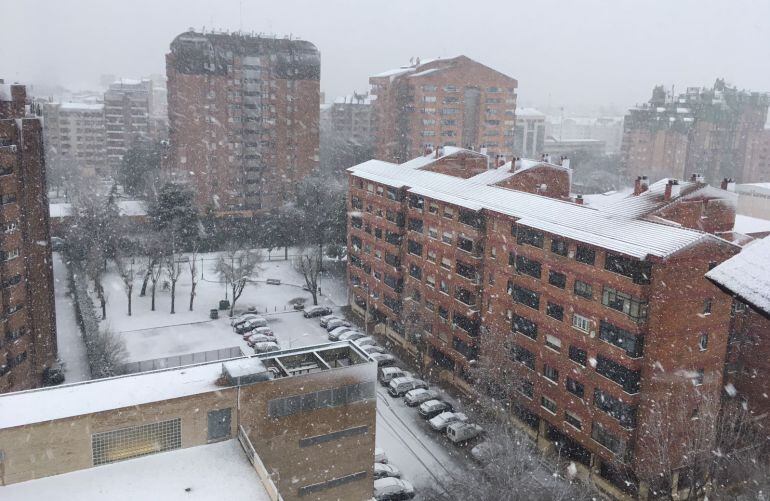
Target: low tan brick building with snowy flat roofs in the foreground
x,y
297,424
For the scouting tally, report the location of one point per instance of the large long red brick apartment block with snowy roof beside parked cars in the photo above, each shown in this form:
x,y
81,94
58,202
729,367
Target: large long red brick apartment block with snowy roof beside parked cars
x,y
584,320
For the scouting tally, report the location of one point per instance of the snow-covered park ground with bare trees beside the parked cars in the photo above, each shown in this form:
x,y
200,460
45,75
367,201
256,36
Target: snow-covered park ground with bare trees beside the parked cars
x,y
155,334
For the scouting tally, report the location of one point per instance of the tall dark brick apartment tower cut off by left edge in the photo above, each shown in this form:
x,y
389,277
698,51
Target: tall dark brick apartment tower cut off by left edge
x,y
28,335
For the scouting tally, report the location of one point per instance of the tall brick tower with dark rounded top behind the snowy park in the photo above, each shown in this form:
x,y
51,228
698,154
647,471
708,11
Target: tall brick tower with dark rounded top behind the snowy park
x,y
243,117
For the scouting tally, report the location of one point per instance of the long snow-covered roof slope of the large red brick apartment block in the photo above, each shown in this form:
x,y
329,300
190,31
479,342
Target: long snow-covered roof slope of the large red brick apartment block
x,y
618,233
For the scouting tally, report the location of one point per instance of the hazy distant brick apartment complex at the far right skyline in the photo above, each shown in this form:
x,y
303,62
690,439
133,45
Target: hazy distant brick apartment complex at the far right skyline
x,y
707,131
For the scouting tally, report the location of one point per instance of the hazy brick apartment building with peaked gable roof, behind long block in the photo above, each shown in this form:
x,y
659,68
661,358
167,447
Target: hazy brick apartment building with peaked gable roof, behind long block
x,y
443,102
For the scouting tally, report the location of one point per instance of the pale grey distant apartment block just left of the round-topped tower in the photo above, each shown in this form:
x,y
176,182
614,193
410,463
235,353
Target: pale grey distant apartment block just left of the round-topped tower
x,y
127,105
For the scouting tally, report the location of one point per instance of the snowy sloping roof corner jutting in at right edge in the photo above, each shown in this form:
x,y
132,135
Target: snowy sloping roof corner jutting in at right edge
x,y
747,274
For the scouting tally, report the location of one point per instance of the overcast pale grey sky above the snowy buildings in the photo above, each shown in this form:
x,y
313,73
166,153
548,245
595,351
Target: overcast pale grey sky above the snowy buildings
x,y
569,52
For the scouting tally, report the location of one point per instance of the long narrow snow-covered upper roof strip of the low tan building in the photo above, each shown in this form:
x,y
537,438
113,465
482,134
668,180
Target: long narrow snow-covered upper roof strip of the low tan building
x,y
69,400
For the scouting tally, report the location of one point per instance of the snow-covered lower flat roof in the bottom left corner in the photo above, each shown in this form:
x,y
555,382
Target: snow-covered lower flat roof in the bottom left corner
x,y
214,471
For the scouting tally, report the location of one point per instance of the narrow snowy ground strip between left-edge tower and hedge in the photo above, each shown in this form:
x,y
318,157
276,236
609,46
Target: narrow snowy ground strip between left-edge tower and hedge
x,y
69,339
